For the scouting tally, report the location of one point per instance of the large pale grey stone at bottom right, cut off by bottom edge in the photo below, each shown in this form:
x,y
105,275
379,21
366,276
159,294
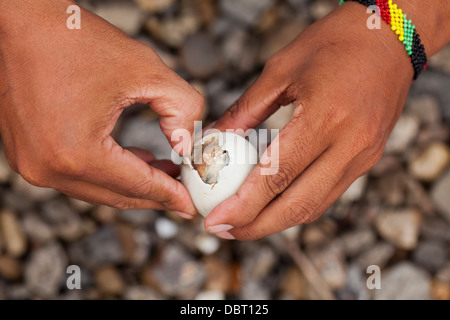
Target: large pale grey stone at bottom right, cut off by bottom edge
x,y
404,281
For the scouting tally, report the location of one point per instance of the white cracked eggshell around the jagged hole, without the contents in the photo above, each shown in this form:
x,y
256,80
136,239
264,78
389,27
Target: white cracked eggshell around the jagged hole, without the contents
x,y
242,158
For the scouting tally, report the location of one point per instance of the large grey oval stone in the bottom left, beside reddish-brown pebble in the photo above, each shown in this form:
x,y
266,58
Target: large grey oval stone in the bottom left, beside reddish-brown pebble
x,y
45,270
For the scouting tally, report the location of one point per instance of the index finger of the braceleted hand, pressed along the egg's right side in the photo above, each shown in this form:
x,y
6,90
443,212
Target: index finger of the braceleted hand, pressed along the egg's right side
x,y
298,145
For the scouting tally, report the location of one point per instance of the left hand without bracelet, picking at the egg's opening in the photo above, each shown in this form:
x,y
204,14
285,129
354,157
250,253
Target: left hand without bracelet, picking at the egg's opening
x,y
62,92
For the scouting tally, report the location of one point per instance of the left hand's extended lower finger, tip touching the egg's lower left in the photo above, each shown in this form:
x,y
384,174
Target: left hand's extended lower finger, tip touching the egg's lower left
x,y
119,170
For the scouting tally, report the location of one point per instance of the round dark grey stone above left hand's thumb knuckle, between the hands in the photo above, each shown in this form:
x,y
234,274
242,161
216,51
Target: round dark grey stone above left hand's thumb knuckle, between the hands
x,y
200,56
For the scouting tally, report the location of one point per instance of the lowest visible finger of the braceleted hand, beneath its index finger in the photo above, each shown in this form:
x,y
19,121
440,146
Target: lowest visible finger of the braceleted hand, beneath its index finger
x,y
312,193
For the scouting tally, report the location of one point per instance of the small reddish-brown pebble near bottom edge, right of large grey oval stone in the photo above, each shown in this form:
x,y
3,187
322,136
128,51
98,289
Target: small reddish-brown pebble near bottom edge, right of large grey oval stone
x,y
109,281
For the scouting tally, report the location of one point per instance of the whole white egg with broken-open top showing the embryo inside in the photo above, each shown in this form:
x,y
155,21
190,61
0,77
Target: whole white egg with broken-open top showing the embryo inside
x,y
219,164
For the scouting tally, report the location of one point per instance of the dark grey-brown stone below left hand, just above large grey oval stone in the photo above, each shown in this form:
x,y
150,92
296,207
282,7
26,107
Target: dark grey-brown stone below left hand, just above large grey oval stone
x,y
64,220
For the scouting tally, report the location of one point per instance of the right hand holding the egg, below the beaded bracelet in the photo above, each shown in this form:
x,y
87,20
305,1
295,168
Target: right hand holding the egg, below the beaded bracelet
x,y
348,85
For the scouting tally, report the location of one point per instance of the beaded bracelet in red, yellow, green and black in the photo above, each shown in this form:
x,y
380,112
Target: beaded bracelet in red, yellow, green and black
x,y
405,30
